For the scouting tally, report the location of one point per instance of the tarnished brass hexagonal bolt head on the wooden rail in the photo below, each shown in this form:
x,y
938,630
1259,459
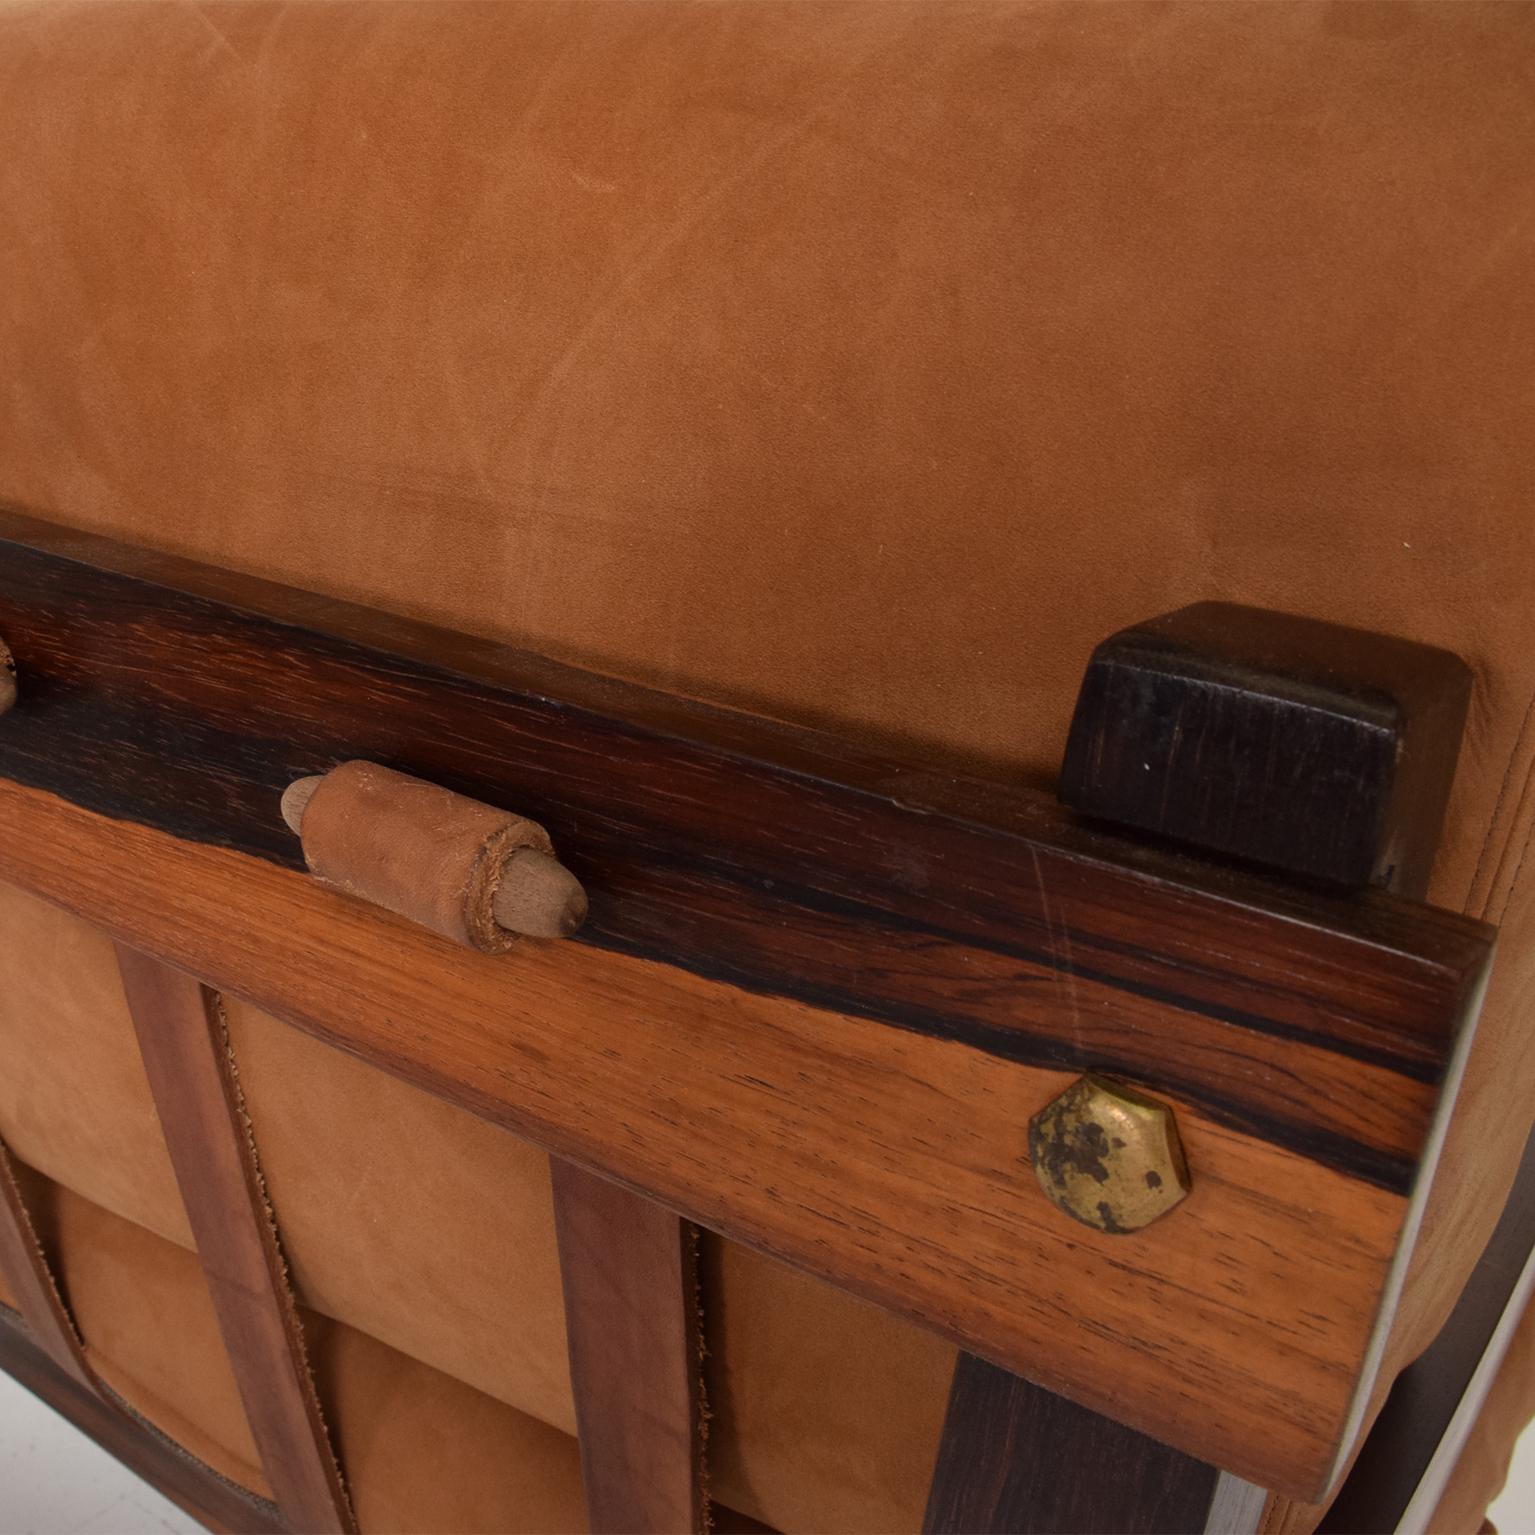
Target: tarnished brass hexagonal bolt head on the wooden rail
x,y
1109,1157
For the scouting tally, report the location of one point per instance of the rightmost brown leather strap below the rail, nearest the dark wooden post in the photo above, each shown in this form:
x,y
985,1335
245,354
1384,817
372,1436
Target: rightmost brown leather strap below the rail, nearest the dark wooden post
x,y
632,1316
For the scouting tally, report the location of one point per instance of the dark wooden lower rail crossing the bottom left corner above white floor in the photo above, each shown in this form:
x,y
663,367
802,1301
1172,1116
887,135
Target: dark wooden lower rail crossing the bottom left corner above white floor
x,y
168,1468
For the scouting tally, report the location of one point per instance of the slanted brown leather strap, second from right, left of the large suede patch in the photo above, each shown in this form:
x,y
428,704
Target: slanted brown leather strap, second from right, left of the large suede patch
x,y
187,1055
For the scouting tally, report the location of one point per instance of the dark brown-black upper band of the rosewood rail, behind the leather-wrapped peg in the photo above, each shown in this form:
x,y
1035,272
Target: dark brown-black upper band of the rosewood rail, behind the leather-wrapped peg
x,y
773,860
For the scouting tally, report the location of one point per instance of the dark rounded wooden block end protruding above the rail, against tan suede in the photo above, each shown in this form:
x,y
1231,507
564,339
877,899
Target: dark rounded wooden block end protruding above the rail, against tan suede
x,y
1306,747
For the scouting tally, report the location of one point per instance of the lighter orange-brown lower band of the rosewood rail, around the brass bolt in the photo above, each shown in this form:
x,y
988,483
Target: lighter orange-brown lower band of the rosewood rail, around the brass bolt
x,y
890,1164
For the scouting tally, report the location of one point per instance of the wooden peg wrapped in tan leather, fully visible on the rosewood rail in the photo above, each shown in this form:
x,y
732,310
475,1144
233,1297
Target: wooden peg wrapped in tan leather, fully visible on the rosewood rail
x,y
470,873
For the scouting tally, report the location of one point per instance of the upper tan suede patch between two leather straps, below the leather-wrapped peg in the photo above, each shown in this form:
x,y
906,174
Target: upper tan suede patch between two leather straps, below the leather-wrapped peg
x,y
409,1218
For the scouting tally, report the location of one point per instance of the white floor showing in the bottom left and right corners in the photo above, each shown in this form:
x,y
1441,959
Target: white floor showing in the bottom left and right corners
x,y
58,1482
